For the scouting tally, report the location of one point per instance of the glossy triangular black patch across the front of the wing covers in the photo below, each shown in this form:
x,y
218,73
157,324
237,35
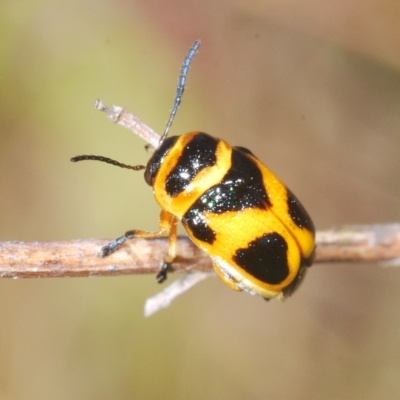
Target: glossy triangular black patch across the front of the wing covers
x,y
242,187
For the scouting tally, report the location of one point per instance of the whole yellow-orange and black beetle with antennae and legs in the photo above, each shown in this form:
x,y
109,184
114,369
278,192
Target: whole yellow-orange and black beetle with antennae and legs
x,y
259,236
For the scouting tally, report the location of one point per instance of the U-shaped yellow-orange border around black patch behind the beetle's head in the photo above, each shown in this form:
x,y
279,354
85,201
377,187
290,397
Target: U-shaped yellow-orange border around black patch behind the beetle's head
x,y
206,178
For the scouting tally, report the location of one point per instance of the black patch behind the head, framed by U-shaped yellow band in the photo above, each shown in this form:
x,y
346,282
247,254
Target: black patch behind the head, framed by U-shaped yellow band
x,y
199,153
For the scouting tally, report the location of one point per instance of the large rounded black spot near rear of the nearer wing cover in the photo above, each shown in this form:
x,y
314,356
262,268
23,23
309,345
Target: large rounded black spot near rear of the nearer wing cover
x,y
265,258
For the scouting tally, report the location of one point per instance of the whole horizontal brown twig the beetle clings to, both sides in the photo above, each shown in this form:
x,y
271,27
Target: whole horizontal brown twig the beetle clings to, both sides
x,y
364,243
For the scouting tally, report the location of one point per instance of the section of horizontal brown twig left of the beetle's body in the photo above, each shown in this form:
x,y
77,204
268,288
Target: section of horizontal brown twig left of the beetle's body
x,y
80,258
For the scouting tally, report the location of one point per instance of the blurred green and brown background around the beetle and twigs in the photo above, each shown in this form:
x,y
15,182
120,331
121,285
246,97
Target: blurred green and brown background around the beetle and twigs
x,y
313,88
